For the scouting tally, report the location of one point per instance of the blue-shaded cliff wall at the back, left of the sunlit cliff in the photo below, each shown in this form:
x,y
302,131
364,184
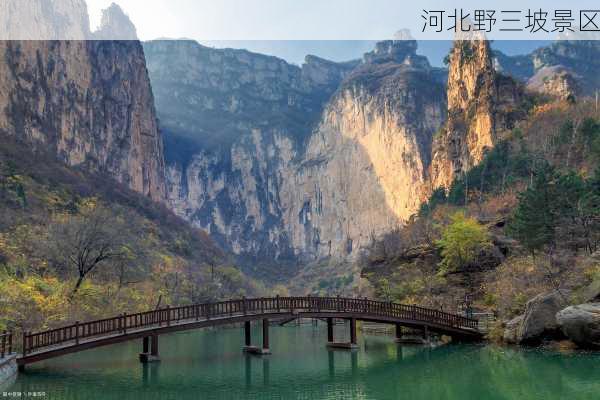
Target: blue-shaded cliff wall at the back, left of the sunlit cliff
x,y
236,122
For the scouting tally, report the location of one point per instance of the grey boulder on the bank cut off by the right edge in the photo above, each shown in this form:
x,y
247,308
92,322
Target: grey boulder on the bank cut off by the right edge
x,y
581,324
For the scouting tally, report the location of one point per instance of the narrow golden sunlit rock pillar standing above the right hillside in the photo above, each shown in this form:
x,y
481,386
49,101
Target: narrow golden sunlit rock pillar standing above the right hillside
x,y
481,103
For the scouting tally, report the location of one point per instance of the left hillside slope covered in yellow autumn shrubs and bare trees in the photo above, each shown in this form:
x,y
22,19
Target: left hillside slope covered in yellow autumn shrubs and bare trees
x,y
75,246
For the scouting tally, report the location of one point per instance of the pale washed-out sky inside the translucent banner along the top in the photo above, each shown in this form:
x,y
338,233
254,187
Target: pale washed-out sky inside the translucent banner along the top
x,y
308,19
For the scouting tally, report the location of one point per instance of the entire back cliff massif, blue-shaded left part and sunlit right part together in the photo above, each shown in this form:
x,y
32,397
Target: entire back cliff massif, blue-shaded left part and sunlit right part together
x,y
300,163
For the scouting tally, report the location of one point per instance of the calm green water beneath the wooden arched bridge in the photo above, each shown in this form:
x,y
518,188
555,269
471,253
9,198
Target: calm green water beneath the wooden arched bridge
x,y
209,364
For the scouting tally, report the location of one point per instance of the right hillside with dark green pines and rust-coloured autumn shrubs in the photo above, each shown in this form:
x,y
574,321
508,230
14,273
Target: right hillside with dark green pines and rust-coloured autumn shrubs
x,y
536,195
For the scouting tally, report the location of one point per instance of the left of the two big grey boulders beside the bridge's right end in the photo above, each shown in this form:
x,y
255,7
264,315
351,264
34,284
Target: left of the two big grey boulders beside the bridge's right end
x,y
539,320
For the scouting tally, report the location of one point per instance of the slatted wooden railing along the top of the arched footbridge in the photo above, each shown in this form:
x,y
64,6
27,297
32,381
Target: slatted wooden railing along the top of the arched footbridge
x,y
173,315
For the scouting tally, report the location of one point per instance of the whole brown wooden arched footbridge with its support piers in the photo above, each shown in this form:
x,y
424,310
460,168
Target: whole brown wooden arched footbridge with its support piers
x,y
149,325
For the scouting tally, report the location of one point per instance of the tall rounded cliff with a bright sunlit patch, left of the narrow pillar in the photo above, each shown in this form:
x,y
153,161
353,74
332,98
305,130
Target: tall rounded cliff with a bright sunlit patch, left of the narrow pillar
x,y
364,170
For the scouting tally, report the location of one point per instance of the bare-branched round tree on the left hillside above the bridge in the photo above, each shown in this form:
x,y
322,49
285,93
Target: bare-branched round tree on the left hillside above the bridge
x,y
84,242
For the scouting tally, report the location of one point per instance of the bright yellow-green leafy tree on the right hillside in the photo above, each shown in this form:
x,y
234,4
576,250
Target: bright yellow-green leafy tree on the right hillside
x,y
462,241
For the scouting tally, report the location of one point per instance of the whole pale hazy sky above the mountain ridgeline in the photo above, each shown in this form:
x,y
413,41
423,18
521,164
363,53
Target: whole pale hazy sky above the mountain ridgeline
x,y
314,26
